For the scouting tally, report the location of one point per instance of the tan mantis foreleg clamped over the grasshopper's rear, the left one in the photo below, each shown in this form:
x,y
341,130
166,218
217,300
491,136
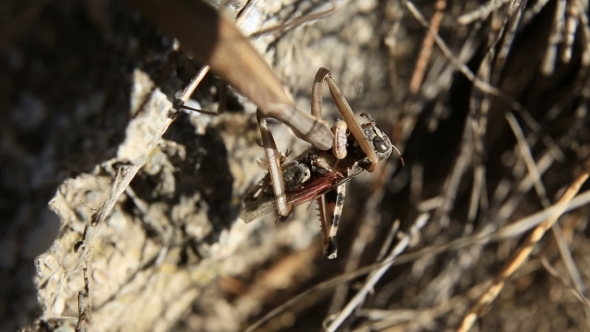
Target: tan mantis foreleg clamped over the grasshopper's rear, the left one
x,y
273,158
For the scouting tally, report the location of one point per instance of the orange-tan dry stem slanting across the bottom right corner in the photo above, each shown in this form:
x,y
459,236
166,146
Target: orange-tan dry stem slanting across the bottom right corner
x,y
522,254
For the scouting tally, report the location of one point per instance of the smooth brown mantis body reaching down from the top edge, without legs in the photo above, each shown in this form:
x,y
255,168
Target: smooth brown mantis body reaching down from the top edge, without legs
x,y
218,43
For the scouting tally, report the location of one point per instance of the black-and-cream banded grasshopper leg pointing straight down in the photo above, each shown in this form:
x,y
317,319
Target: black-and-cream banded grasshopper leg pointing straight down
x,y
330,206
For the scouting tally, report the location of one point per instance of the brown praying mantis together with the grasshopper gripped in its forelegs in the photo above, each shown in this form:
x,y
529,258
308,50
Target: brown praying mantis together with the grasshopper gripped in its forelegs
x,y
321,172
